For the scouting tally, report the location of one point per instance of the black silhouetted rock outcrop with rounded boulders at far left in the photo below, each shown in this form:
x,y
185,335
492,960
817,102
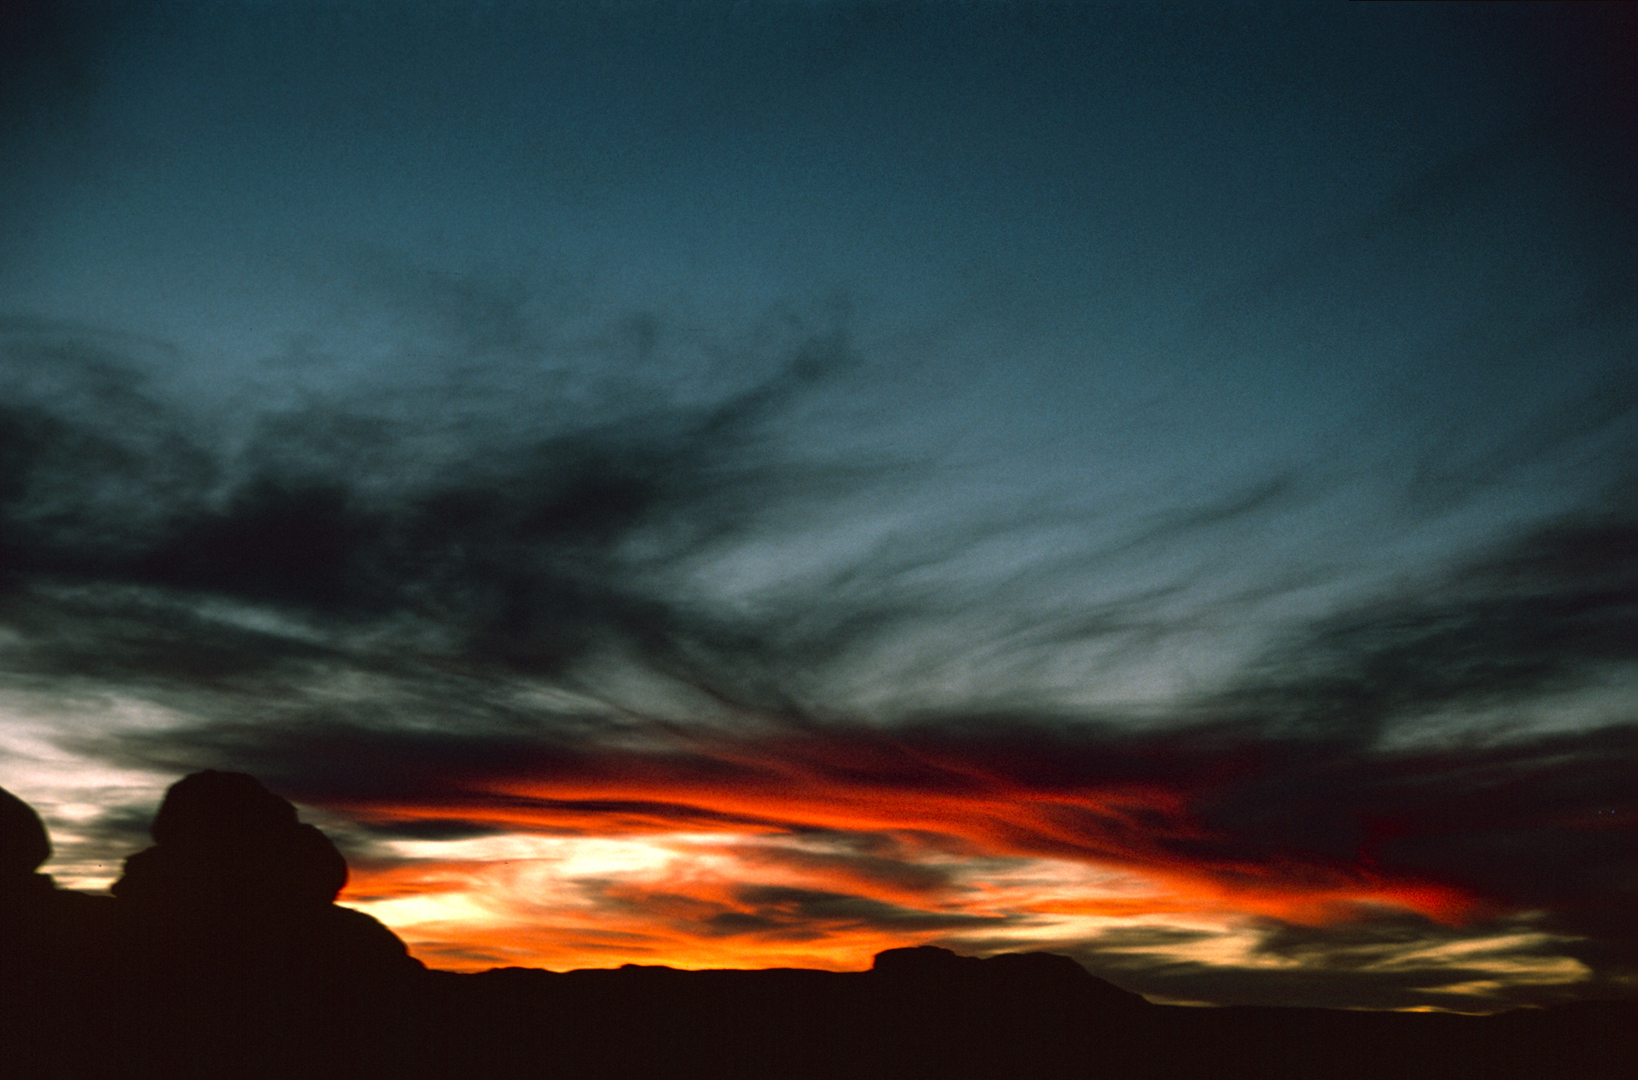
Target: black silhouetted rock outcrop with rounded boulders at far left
x,y
222,951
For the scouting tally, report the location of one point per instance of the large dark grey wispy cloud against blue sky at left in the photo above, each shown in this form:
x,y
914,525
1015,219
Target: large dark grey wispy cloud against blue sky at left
x,y
517,556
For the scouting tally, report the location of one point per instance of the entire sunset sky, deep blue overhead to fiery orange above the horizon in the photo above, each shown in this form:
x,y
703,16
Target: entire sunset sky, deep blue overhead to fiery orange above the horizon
x,y
759,484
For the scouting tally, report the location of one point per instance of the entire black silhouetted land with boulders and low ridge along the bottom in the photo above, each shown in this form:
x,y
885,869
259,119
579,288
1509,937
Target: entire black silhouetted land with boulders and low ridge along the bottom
x,y
224,956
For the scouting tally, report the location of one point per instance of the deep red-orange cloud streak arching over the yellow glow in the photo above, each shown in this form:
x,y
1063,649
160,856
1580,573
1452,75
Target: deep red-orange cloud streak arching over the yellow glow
x,y
1010,801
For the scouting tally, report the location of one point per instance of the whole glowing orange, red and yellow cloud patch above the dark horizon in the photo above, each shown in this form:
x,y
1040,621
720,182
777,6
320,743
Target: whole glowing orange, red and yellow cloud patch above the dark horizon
x,y
900,820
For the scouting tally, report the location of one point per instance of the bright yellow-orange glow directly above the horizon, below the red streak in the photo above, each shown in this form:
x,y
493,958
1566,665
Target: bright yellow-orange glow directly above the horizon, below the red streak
x,y
599,902
